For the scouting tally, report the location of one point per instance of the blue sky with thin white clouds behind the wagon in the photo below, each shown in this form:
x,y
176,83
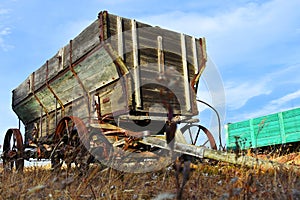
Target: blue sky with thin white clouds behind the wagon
x,y
255,45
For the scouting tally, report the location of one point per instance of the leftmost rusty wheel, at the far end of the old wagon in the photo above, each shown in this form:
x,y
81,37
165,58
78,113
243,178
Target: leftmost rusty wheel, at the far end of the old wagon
x,y
13,150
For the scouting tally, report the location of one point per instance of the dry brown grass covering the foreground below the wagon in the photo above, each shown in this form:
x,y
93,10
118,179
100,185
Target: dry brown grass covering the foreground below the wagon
x,y
218,181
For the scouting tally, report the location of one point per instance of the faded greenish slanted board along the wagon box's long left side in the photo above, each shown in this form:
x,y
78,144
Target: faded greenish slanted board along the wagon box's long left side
x,y
93,72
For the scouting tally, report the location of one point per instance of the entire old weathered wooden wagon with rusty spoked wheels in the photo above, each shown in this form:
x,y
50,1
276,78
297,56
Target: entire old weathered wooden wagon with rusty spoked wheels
x,y
117,82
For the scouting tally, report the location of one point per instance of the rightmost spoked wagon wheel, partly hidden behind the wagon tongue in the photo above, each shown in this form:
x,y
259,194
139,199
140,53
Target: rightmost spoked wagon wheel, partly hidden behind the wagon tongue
x,y
193,131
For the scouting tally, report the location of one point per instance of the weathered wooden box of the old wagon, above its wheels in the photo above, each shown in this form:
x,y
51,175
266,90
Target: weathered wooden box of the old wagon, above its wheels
x,y
94,66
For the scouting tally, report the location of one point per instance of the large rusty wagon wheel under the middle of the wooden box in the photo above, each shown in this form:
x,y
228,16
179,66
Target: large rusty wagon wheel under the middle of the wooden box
x,y
69,137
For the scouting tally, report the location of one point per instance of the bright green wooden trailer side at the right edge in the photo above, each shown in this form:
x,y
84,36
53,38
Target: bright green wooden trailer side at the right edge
x,y
274,129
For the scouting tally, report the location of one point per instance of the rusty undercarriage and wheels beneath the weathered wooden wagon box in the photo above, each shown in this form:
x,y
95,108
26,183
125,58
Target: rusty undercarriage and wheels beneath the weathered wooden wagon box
x,y
105,143
